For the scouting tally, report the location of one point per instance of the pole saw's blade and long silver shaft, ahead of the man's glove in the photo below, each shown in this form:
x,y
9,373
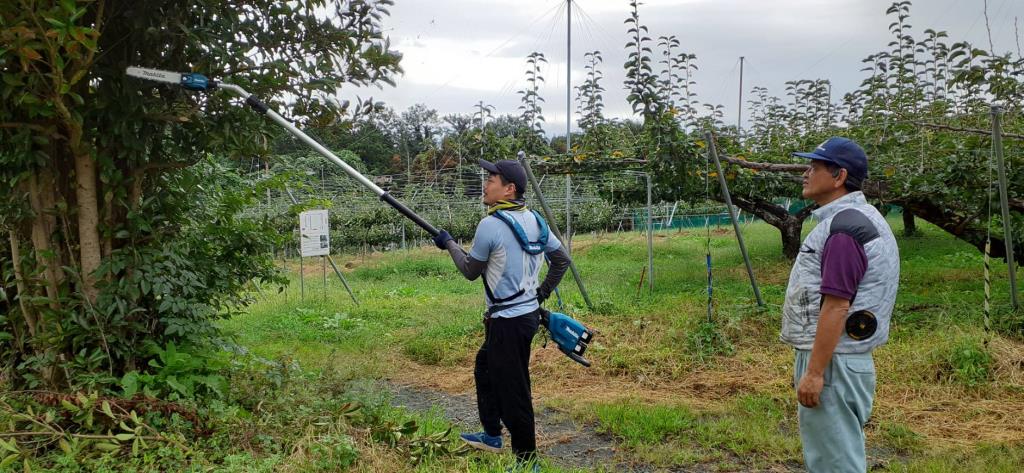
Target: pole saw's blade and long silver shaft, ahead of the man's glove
x,y
199,82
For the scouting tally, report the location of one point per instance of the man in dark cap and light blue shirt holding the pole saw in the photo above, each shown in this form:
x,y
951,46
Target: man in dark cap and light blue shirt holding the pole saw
x,y
508,250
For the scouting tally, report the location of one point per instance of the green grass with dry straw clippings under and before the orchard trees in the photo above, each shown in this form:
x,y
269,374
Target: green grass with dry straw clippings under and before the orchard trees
x,y
672,397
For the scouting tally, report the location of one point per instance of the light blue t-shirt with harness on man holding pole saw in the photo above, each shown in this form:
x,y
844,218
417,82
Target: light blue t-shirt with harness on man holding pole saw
x,y
509,268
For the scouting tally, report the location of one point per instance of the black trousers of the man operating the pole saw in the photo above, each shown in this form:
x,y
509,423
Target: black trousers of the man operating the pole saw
x,y
502,375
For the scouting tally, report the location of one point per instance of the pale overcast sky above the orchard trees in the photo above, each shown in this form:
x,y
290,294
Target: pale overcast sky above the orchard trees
x,y
458,53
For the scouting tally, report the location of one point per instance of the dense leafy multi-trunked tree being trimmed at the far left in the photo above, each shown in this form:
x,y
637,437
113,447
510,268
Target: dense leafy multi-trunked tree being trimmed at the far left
x,y
120,232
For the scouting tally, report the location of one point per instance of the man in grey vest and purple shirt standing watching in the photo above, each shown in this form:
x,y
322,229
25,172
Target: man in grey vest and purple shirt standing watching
x,y
838,306
